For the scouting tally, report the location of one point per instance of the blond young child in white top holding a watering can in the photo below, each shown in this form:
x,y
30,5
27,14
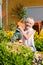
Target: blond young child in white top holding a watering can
x,y
28,33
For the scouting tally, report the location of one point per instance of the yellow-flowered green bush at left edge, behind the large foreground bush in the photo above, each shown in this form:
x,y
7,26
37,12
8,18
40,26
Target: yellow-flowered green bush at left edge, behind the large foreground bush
x,y
5,35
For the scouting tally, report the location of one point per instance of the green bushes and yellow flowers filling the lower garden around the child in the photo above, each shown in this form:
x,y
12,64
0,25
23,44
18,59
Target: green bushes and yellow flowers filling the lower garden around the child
x,y
15,53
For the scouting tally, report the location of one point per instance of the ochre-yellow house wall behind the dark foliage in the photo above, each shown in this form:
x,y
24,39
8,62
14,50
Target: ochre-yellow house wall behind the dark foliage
x,y
13,3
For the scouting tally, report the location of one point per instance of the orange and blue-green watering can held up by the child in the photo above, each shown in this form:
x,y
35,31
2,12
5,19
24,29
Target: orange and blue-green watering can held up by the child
x,y
17,33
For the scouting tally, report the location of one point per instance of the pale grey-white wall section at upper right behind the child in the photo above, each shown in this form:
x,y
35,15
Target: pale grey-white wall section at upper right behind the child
x,y
35,12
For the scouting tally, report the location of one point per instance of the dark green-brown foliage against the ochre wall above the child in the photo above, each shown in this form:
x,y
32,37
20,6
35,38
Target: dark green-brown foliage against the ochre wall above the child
x,y
19,11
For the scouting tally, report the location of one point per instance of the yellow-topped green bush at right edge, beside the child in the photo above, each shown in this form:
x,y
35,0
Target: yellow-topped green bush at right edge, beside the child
x,y
39,41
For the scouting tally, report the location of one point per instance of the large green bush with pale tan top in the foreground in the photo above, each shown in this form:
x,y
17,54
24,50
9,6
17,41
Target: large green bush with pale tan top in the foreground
x,y
15,54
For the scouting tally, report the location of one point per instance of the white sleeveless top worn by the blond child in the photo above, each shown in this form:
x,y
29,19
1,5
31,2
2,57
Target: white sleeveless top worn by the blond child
x,y
30,41
